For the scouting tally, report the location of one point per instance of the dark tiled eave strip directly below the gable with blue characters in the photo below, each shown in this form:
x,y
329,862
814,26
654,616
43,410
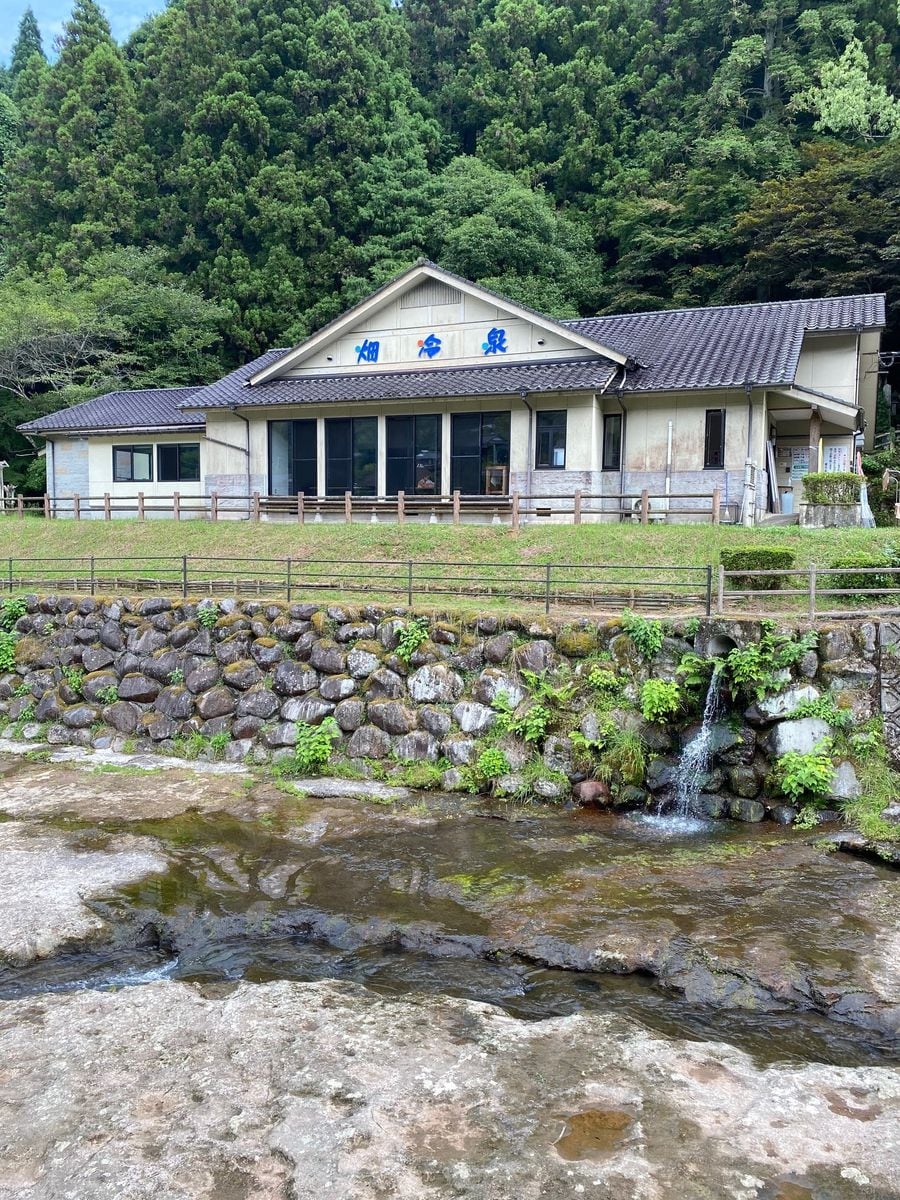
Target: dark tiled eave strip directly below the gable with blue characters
x,y
508,380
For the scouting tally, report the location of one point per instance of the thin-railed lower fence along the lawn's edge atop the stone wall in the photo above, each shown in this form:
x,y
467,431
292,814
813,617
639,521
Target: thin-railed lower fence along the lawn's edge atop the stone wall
x,y
587,587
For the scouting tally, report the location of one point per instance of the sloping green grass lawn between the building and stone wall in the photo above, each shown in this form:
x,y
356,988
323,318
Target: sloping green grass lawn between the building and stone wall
x,y
465,567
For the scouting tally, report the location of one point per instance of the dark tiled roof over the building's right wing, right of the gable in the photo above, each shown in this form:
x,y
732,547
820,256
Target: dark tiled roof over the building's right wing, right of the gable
x,y
727,346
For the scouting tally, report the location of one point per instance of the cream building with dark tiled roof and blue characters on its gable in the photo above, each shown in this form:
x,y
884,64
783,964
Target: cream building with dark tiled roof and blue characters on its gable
x,y
435,386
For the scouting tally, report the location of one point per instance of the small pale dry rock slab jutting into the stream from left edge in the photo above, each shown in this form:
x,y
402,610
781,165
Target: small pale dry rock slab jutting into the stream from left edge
x,y
46,881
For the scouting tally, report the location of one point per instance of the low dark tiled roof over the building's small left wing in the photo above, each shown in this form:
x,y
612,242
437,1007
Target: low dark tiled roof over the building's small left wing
x,y
145,409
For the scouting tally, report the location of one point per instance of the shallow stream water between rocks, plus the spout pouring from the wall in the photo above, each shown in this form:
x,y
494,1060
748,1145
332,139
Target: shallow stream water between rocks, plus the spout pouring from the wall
x,y
544,913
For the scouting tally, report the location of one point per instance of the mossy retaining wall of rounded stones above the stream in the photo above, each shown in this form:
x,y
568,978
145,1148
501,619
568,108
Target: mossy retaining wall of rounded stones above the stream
x,y
148,674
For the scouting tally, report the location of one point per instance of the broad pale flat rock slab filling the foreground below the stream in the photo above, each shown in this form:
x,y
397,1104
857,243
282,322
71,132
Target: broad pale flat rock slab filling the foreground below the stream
x,y
289,1091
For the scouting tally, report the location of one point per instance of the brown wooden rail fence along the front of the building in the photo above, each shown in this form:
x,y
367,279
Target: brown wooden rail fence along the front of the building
x,y
644,508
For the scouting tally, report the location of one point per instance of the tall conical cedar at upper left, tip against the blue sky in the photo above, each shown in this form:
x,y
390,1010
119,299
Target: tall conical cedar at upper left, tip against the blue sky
x,y
75,187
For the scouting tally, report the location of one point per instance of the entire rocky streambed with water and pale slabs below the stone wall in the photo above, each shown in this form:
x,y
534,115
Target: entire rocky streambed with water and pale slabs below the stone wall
x,y
214,987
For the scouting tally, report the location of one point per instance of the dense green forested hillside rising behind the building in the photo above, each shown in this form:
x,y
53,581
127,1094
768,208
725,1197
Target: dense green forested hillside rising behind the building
x,y
243,170
